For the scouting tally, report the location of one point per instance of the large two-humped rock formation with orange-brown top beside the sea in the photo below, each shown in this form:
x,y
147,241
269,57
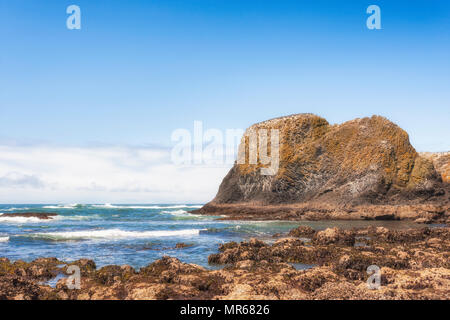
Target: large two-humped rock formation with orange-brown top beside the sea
x,y
360,162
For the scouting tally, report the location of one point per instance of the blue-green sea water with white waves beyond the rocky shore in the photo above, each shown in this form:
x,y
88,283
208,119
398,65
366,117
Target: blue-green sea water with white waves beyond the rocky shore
x,y
135,234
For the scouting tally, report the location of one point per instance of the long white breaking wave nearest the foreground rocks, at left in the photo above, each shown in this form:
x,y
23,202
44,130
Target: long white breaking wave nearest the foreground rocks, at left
x,y
112,234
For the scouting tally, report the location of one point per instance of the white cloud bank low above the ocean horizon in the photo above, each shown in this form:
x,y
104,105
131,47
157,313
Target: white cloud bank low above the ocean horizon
x,y
49,174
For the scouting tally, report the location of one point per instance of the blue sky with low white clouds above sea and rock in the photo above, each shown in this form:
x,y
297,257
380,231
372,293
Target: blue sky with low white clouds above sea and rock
x,y
87,115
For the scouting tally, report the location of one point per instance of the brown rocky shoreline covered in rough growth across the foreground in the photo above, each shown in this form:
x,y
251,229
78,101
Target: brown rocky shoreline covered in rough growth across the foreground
x,y
304,264
